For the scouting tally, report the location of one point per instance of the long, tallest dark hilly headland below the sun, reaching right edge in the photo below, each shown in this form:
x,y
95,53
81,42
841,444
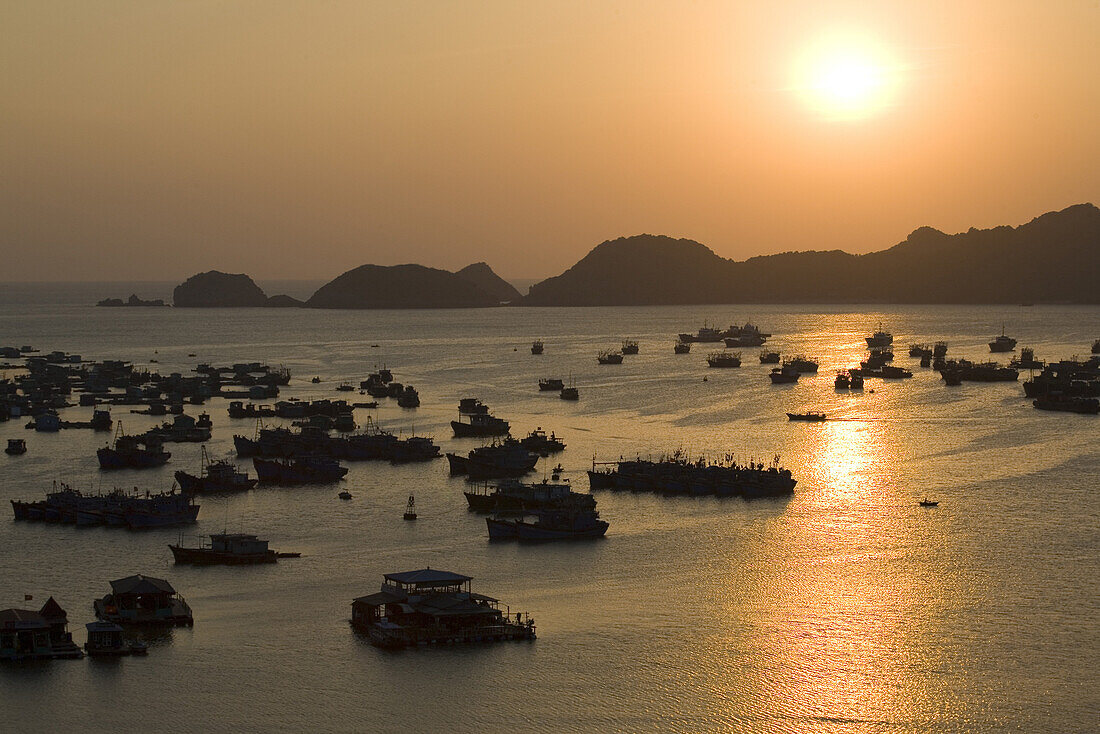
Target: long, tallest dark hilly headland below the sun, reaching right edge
x,y
1054,258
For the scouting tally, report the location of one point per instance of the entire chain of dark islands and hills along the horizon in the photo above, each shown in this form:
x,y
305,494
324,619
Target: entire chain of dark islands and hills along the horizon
x,y
1053,259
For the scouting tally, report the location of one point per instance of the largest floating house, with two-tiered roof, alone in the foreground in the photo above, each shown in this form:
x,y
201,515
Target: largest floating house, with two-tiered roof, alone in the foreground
x,y
431,608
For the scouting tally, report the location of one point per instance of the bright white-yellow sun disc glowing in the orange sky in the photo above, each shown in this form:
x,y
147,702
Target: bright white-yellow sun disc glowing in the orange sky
x,y
846,78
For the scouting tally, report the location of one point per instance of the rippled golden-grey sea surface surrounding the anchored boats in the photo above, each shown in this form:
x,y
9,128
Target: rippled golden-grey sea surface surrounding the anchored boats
x,y
845,608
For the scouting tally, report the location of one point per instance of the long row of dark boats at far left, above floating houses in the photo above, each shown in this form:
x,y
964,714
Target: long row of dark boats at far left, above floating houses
x,y
116,509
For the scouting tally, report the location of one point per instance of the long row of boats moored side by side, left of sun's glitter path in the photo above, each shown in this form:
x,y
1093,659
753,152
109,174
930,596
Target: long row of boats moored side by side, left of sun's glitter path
x,y
677,475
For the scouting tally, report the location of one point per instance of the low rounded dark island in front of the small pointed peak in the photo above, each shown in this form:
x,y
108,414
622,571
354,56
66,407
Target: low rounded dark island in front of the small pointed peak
x,y
400,287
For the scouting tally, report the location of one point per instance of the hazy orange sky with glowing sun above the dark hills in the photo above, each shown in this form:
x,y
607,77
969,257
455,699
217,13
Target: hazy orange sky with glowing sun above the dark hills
x,y
153,139
